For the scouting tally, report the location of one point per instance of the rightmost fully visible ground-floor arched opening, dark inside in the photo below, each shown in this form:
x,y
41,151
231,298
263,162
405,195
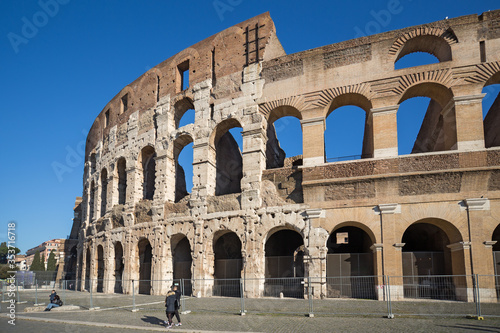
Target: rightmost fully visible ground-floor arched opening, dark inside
x,y
427,263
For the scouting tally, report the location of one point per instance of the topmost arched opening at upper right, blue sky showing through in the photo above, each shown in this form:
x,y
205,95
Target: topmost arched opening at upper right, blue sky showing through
x,y
436,49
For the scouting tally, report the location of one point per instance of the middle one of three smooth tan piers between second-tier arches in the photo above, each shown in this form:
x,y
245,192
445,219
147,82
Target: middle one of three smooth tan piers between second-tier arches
x,y
384,125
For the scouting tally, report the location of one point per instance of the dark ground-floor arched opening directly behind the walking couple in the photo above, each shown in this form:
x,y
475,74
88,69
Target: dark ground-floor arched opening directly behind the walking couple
x,y
182,262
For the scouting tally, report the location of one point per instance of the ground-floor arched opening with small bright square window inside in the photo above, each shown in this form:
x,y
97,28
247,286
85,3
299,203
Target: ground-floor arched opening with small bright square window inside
x,y
349,264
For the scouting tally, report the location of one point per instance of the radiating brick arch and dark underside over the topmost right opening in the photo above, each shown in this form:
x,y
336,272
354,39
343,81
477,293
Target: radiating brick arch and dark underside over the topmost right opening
x,y
433,40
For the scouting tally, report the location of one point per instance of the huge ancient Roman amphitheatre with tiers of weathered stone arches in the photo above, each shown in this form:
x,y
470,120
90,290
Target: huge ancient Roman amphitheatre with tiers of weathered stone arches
x,y
255,214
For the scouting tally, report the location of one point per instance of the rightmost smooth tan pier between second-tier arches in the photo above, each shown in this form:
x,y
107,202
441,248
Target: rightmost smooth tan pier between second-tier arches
x,y
469,122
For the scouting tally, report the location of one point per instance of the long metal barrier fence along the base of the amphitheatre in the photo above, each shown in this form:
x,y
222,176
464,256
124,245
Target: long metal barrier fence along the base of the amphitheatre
x,y
388,296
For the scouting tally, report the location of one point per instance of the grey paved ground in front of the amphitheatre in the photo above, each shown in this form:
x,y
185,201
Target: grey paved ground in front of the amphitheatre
x,y
264,315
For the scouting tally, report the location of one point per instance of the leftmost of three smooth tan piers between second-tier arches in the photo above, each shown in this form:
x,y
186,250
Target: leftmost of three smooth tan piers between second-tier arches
x,y
313,141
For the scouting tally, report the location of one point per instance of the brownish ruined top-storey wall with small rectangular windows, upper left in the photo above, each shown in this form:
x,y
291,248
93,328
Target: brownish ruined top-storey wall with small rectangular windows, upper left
x,y
213,58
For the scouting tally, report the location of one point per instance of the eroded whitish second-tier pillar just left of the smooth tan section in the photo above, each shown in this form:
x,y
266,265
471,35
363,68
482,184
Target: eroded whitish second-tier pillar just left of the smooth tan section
x,y
254,161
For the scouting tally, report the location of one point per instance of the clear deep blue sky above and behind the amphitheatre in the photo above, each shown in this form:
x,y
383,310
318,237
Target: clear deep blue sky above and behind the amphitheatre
x,y
63,60
